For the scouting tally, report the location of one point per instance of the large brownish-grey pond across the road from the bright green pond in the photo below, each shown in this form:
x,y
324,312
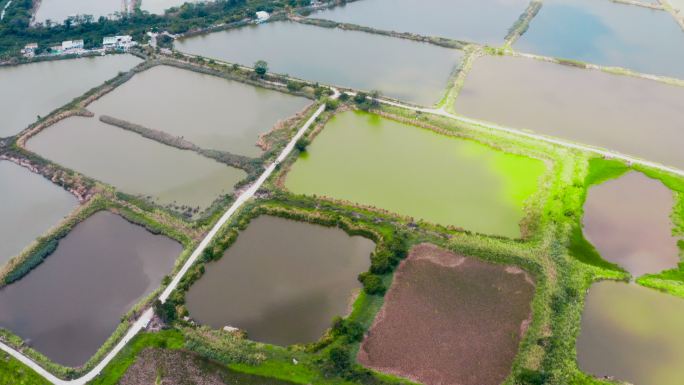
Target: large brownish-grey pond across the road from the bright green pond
x,y
634,116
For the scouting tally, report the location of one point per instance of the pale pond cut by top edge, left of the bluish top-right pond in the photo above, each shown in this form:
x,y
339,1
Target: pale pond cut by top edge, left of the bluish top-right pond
x,y
483,21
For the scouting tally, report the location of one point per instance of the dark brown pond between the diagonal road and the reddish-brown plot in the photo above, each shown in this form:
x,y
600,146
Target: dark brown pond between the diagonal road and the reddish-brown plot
x,y
282,281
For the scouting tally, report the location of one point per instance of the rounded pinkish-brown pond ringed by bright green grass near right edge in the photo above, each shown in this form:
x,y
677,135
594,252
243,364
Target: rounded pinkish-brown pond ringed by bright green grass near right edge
x,y
628,221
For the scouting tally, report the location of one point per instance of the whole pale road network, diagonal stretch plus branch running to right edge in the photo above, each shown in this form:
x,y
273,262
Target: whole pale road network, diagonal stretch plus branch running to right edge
x,y
146,317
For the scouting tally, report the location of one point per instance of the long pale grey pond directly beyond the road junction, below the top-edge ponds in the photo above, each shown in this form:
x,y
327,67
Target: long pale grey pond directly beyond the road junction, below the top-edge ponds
x,y
407,70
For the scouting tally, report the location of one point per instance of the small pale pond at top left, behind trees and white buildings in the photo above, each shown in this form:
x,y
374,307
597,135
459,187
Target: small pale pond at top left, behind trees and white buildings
x,y
59,10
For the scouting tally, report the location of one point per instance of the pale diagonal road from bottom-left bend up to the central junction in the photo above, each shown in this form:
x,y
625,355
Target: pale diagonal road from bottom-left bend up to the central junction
x,y
146,317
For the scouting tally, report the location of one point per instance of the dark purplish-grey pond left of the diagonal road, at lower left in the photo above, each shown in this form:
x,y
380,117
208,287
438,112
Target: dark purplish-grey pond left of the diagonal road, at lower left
x,y
71,303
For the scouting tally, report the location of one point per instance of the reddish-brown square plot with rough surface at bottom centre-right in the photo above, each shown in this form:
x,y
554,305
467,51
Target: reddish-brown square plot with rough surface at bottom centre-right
x,y
449,319
